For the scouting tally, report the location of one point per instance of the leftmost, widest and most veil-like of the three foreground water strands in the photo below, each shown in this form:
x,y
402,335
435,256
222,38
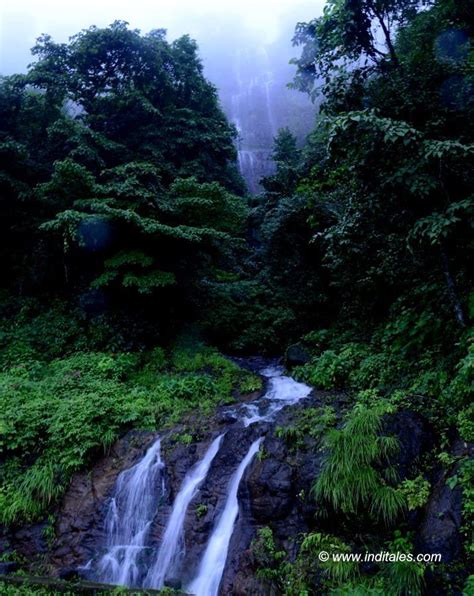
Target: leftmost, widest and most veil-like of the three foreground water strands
x,y
129,517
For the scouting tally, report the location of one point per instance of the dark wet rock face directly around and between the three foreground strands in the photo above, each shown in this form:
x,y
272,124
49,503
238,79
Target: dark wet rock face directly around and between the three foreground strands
x,y
269,494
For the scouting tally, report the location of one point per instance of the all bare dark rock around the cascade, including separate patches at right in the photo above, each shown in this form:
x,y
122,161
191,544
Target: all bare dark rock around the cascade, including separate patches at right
x,y
275,491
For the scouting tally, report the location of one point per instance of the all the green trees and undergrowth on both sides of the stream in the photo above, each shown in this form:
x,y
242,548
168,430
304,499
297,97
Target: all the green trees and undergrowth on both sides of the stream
x,y
124,226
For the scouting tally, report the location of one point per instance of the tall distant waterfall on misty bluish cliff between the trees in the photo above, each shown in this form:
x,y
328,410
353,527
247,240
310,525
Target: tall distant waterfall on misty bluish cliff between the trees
x,y
253,88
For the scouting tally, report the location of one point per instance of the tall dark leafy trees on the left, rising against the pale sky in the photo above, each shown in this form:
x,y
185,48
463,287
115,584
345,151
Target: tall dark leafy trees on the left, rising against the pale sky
x,y
117,174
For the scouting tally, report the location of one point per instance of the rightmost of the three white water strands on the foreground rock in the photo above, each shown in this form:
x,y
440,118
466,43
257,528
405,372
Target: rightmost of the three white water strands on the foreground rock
x,y
213,562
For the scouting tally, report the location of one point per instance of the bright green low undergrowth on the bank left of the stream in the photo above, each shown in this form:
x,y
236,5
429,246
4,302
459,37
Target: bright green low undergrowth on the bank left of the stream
x,y
58,413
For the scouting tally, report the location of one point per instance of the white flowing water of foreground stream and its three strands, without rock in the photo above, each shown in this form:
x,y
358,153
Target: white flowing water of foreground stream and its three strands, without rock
x,y
131,558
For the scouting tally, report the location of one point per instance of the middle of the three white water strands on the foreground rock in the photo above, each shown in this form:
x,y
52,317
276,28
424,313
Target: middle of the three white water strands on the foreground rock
x,y
171,549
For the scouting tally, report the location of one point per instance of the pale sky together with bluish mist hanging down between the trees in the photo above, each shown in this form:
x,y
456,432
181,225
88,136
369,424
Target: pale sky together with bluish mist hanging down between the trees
x,y
245,48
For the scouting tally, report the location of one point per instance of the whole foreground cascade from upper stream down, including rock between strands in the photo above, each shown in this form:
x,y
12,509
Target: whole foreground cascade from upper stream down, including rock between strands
x,y
140,554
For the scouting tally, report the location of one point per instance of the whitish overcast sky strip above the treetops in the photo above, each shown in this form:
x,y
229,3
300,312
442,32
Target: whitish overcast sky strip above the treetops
x,y
22,21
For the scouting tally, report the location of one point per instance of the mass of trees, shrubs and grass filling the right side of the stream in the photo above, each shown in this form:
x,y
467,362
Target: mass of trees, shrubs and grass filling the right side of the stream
x,y
366,237
